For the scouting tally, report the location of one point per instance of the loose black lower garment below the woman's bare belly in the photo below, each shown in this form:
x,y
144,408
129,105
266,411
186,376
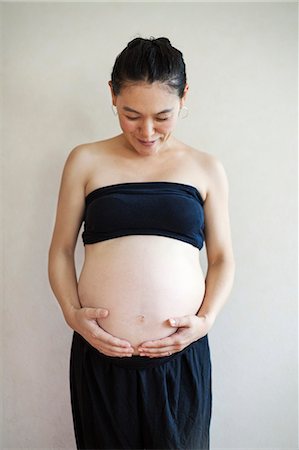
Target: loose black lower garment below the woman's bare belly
x,y
141,402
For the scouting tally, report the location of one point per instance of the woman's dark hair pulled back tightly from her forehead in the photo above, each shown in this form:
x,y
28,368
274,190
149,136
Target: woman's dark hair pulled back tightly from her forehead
x,y
149,60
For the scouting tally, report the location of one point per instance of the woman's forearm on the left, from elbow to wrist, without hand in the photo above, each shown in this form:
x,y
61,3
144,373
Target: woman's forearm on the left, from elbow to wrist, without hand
x,y
63,281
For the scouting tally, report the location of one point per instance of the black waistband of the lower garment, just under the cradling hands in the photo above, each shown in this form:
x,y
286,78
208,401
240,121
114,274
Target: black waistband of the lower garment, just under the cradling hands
x,y
140,362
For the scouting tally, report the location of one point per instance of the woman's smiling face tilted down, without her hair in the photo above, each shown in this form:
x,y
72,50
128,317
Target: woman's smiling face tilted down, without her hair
x,y
147,115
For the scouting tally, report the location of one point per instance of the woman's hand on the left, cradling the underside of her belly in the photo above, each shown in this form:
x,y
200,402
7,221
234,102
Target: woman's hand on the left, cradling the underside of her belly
x,y
84,322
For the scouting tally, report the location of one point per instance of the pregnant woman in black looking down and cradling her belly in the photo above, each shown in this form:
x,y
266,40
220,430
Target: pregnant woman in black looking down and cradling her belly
x,y
141,310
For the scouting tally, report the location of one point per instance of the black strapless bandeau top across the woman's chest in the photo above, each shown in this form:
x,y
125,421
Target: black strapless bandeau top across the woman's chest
x,y
162,208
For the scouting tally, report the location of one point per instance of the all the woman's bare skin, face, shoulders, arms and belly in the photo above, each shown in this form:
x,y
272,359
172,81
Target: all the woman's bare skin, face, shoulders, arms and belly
x,y
130,288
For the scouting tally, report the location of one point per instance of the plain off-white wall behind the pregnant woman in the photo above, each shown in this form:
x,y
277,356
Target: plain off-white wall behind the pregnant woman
x,y
242,68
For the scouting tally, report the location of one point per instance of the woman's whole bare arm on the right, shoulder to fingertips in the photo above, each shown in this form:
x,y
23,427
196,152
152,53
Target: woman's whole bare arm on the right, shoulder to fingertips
x,y
220,273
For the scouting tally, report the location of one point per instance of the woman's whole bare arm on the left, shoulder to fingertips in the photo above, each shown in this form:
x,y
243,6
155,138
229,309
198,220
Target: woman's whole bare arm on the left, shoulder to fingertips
x,y
61,263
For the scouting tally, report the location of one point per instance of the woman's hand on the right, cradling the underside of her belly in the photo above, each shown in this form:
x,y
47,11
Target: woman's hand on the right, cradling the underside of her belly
x,y
189,329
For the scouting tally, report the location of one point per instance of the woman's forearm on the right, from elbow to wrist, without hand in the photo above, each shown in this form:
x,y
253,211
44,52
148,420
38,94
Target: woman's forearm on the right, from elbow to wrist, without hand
x,y
219,282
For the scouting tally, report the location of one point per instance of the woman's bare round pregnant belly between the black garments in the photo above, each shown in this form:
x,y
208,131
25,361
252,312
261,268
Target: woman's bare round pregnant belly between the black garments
x,y
143,281
